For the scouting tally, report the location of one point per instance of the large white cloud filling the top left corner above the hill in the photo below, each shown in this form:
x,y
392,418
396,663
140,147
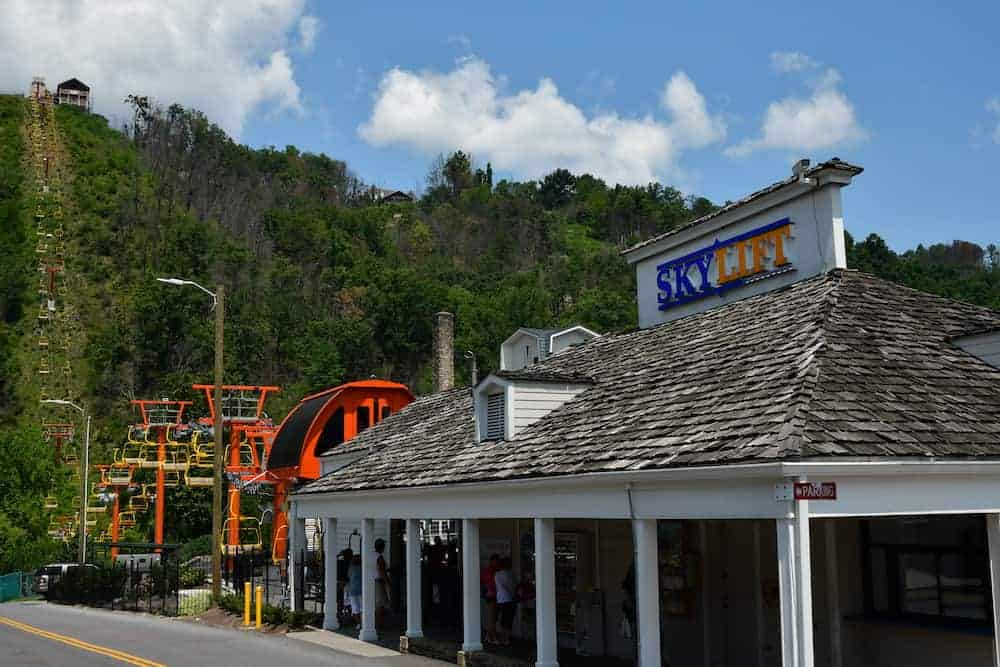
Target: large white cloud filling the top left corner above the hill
x,y
227,58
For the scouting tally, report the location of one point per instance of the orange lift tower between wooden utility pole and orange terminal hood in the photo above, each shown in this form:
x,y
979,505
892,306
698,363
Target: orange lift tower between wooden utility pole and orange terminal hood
x,y
250,434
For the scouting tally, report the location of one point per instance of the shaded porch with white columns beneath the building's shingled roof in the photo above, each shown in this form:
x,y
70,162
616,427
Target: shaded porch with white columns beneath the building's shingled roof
x,y
729,566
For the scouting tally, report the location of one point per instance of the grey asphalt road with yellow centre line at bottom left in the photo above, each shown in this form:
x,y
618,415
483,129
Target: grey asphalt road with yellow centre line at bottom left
x,y
123,638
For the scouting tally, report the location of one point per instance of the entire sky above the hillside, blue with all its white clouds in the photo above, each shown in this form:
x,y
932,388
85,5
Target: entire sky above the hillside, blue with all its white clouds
x,y
716,99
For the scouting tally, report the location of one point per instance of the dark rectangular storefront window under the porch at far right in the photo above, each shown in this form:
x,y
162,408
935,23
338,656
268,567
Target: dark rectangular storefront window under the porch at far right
x,y
927,567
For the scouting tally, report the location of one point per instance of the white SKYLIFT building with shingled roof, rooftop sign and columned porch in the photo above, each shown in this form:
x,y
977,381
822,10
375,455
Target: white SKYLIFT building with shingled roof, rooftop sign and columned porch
x,y
789,463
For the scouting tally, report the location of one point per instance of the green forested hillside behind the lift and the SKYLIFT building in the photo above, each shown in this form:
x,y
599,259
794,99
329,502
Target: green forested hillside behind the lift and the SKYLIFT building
x,y
324,283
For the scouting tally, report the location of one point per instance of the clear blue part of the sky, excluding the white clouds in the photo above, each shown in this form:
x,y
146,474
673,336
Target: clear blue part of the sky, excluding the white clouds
x,y
919,82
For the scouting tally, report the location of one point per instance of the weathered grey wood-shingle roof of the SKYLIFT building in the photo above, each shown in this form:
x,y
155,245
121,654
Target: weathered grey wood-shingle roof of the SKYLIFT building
x,y
839,365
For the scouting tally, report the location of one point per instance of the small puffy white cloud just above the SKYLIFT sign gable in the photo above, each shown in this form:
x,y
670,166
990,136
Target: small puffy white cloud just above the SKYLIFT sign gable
x,y
822,120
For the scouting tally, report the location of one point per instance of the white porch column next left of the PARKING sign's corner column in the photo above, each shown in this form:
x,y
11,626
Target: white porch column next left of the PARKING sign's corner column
x,y
647,590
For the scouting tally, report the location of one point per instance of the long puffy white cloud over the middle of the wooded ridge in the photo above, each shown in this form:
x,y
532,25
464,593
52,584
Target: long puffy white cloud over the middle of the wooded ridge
x,y
533,131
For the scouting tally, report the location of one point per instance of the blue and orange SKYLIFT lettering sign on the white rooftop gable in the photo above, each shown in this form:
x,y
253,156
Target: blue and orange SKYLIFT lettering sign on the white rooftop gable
x,y
724,265
